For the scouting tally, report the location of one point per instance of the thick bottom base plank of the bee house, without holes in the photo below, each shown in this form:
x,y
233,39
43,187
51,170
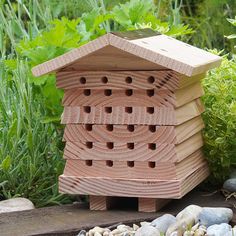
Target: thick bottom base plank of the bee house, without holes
x,y
145,188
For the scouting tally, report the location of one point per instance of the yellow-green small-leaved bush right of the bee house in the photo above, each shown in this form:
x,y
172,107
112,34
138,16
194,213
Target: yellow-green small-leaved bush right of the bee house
x,y
220,118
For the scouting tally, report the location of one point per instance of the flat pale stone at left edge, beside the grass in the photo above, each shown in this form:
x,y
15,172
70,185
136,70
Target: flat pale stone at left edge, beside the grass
x,y
16,204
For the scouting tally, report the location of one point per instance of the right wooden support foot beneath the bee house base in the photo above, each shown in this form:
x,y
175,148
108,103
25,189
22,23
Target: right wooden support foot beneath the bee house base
x,y
151,204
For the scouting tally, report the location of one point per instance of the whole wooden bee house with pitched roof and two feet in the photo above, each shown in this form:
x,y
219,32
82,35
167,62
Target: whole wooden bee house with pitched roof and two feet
x,y
132,112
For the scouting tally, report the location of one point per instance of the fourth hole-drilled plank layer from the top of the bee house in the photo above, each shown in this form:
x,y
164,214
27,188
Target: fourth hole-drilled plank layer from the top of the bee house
x,y
136,133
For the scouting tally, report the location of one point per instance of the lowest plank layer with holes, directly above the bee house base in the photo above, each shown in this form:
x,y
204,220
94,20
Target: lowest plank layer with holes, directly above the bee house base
x,y
135,170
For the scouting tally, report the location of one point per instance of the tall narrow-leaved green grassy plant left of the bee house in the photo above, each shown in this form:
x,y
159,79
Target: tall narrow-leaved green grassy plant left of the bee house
x,y
30,153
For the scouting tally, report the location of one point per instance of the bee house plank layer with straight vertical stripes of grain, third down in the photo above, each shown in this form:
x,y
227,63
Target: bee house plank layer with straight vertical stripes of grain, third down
x,y
132,115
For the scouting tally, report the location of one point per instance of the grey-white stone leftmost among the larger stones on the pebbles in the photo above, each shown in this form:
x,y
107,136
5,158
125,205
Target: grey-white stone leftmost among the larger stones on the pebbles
x,y
162,223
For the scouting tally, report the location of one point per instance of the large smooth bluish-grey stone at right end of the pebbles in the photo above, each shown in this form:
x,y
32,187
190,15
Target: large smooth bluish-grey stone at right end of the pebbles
x,y
215,215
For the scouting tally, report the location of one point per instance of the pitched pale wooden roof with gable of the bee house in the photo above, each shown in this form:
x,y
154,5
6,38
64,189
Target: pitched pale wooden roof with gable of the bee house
x,y
135,50
